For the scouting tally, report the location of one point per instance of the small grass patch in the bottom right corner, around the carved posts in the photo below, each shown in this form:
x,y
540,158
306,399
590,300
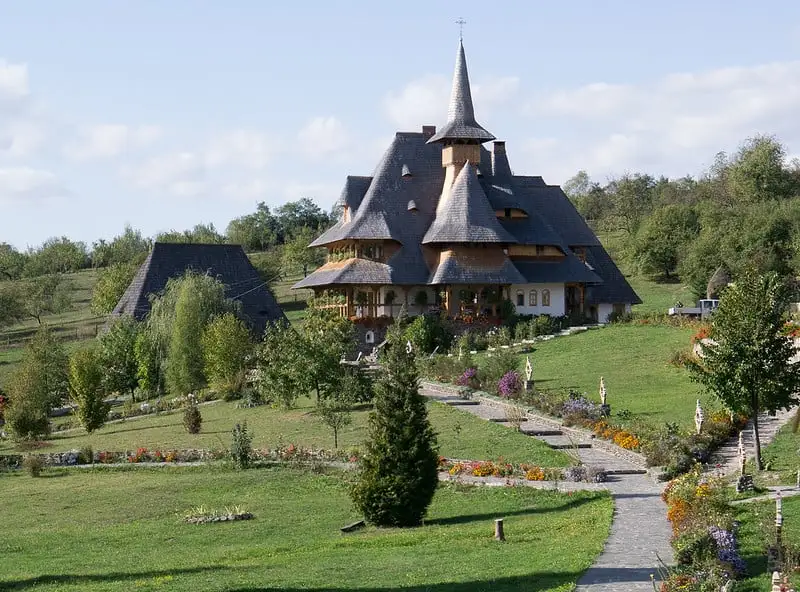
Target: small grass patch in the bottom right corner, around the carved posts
x,y
753,540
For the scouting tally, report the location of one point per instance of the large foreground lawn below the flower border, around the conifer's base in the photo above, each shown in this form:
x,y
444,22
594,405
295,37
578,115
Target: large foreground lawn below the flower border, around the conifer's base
x,y
119,530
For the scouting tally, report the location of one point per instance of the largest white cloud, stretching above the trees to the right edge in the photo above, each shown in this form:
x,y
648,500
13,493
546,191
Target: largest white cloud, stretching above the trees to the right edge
x,y
673,125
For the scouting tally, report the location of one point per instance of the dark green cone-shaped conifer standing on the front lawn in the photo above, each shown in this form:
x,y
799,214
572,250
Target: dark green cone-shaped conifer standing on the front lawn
x,y
398,475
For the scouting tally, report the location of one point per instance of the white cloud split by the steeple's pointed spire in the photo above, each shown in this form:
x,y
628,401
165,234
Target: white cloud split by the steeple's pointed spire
x,y
425,100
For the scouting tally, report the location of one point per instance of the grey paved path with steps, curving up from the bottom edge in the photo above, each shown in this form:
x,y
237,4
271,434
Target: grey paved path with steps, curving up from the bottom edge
x,y
640,531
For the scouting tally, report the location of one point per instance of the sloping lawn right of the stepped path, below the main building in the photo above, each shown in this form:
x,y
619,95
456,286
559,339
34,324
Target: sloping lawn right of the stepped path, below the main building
x,y
633,359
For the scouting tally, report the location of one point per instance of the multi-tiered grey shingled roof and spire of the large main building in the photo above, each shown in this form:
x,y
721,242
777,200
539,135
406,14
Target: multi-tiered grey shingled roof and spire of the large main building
x,y
399,202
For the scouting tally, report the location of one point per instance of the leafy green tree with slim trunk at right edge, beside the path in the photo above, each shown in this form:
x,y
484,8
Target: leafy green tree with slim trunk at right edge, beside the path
x,y
748,363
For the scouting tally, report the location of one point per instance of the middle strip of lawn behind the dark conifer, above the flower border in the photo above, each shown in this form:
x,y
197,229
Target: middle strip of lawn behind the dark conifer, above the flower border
x,y
461,435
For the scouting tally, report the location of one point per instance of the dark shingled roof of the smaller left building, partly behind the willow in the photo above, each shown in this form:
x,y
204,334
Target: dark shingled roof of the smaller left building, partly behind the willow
x,y
228,263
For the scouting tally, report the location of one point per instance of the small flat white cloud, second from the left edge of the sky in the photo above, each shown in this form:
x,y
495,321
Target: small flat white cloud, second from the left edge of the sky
x,y
110,140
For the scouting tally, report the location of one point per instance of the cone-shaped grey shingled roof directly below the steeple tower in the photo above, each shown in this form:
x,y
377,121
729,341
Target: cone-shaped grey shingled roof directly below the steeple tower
x,y
467,216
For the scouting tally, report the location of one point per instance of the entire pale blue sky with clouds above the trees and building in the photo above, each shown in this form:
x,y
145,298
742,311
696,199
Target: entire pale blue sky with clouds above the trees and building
x,y
167,114
